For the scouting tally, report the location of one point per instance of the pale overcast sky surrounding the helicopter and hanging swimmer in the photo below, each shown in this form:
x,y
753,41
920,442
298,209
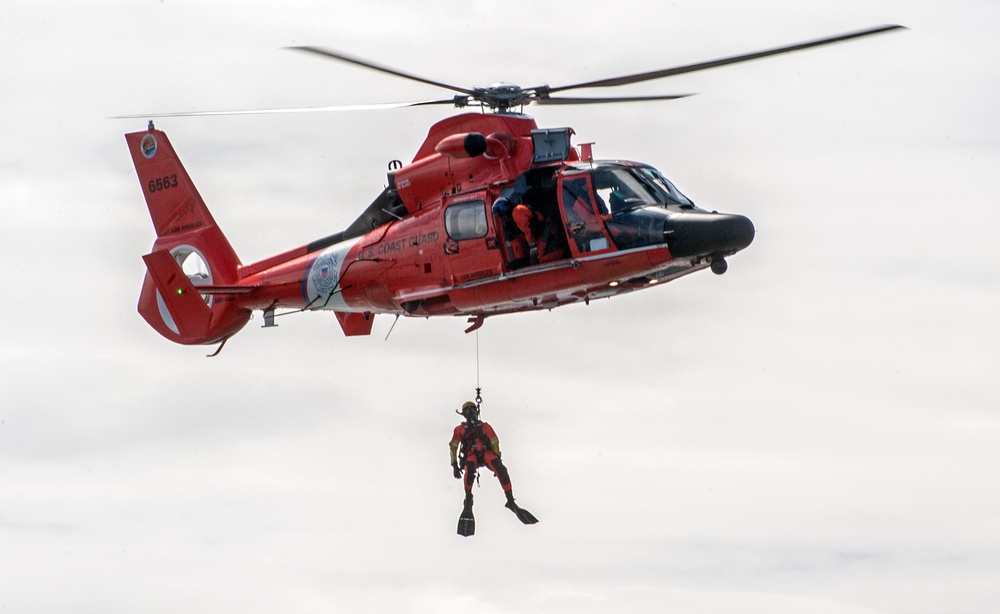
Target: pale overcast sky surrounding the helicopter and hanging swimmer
x,y
814,431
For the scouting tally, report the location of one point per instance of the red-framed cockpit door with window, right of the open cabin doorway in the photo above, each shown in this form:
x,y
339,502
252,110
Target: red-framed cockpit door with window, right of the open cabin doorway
x,y
583,212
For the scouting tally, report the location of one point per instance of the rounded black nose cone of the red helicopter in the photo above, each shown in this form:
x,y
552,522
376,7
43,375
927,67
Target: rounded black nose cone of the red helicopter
x,y
703,234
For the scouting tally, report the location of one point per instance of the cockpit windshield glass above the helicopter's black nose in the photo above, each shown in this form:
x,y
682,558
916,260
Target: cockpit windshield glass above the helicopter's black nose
x,y
622,188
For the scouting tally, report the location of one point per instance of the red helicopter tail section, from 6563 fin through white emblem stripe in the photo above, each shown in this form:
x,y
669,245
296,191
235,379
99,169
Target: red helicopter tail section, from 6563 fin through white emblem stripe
x,y
196,290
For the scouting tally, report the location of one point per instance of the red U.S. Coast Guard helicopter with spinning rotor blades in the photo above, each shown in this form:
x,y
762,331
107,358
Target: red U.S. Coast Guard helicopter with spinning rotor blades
x,y
494,215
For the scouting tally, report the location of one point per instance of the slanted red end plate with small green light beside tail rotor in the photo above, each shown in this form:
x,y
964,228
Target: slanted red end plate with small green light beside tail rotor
x,y
187,309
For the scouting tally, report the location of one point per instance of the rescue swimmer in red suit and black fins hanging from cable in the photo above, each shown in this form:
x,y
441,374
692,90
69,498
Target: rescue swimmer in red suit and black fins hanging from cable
x,y
476,444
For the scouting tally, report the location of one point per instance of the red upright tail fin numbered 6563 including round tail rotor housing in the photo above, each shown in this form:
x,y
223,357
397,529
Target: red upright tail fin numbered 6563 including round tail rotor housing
x,y
199,253
